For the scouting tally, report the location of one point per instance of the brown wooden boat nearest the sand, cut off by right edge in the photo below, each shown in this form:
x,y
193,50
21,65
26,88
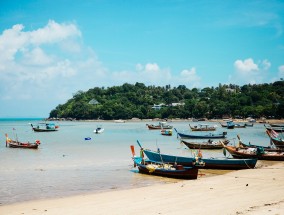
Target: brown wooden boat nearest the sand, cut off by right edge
x,y
251,152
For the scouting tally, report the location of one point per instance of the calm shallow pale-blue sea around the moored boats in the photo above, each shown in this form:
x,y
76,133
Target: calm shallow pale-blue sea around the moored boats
x,y
67,164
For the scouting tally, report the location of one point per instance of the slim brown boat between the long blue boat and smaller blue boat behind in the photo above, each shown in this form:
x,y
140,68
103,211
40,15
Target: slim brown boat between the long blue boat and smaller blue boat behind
x,y
205,145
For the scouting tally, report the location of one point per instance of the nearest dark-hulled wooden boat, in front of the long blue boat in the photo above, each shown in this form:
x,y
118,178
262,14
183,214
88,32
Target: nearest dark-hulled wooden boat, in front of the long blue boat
x,y
165,170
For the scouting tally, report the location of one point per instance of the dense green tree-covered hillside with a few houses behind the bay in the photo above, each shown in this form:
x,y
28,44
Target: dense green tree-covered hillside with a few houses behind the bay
x,y
128,101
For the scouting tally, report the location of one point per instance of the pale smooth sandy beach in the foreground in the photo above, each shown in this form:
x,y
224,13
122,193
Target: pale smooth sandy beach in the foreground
x,y
253,191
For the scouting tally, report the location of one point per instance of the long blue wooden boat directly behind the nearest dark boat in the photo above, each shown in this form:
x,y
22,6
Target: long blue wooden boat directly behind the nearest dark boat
x,y
209,163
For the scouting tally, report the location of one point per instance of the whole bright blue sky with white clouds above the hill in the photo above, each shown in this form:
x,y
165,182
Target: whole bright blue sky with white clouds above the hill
x,y
51,49
